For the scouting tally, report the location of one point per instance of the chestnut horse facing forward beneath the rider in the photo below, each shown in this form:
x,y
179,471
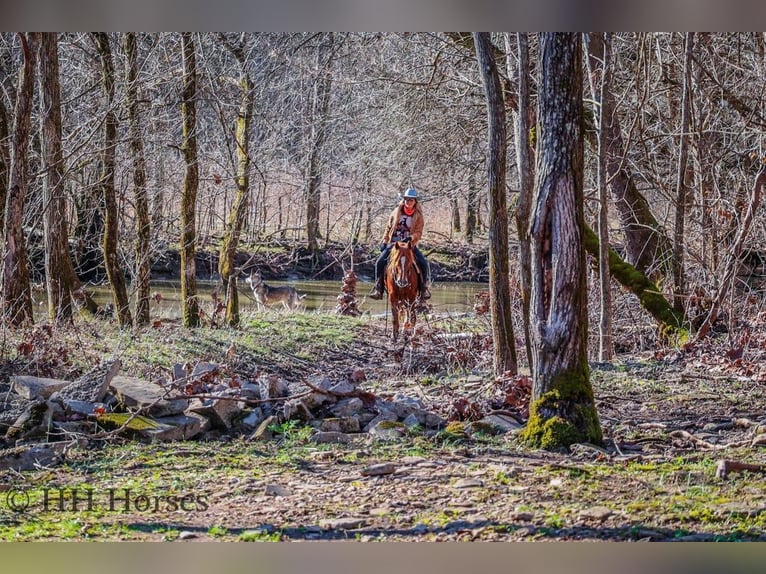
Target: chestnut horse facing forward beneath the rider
x,y
402,285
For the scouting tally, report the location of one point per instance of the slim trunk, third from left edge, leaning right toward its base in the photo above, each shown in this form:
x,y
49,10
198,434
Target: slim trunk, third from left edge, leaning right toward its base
x,y
111,217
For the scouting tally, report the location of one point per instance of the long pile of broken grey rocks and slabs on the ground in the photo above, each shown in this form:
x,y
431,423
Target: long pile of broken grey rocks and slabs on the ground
x,y
202,401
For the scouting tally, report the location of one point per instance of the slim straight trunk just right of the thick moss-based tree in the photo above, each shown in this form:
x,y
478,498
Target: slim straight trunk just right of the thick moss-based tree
x,y
600,80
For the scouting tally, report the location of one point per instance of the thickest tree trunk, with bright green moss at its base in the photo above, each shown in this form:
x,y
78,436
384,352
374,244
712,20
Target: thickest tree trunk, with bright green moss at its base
x,y
563,409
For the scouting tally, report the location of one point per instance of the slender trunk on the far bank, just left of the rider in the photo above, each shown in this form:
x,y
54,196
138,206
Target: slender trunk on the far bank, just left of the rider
x,y
321,109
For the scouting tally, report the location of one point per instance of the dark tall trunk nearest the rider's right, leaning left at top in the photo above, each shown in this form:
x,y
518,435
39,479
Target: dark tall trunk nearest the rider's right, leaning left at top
x,y
499,291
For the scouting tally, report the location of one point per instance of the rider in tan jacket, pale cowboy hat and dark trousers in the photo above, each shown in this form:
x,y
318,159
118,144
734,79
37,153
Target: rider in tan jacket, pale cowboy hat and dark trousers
x,y
405,222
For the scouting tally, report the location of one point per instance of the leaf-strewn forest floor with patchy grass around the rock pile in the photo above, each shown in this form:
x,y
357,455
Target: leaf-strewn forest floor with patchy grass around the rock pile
x,y
676,426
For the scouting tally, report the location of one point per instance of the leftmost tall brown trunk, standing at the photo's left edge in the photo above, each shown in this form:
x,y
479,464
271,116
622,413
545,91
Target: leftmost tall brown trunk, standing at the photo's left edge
x,y
16,294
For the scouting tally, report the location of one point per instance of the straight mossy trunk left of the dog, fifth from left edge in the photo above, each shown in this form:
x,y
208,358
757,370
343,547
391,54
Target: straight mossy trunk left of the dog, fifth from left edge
x,y
189,302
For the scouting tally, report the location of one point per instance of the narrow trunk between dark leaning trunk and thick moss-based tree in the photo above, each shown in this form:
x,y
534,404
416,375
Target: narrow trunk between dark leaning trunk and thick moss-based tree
x,y
525,163
